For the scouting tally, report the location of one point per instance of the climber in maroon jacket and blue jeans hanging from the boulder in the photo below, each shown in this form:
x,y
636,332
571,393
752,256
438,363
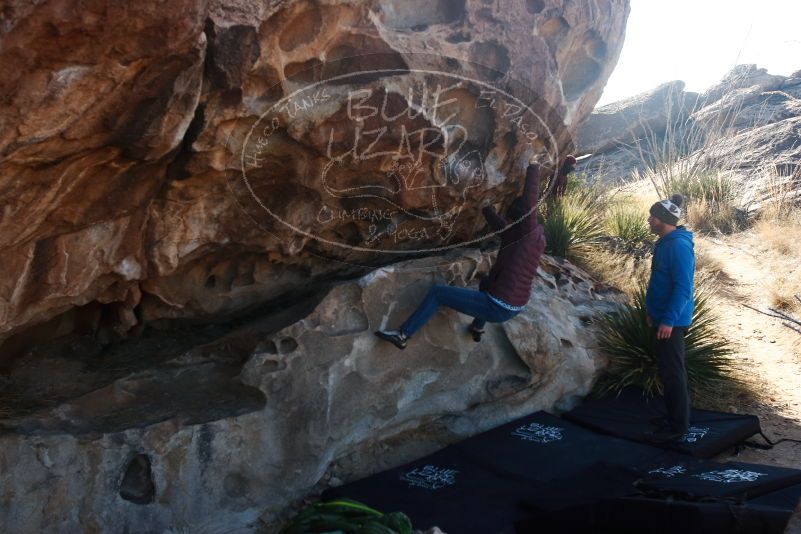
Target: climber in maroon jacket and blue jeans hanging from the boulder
x,y
506,289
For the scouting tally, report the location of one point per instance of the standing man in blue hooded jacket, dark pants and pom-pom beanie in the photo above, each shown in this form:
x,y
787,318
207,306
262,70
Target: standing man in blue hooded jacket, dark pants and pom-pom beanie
x,y
669,304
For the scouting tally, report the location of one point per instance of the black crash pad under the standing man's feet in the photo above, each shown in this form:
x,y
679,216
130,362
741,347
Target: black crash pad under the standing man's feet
x,y
629,414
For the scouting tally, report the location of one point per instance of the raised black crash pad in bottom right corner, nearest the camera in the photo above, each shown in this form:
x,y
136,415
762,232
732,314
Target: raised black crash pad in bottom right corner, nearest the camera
x,y
605,498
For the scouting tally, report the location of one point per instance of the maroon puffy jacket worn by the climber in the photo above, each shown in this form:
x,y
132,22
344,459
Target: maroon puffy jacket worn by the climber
x,y
522,245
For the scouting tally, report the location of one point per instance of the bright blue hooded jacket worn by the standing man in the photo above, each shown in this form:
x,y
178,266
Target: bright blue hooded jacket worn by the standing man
x,y
669,299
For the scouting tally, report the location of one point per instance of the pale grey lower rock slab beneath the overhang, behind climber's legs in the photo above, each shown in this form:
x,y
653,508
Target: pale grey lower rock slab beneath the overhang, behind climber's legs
x,y
220,429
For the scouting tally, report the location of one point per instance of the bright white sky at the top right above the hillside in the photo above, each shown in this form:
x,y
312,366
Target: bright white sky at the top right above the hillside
x,y
698,41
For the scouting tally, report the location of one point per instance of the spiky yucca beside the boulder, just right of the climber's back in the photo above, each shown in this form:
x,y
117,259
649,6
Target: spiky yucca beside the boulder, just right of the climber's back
x,y
572,222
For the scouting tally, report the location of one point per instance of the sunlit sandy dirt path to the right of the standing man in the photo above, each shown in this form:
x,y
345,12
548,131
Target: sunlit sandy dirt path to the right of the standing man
x,y
768,350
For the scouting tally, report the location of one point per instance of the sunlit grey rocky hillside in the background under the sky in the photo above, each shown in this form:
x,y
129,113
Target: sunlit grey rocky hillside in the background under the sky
x,y
747,127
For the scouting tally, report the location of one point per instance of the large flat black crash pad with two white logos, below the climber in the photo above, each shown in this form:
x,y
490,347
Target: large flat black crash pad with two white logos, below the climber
x,y
478,485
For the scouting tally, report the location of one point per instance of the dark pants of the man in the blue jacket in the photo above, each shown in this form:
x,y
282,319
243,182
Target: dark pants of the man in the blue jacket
x,y
673,375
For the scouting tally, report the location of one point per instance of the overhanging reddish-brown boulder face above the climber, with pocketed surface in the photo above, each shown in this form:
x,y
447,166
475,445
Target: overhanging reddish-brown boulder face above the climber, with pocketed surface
x,y
125,131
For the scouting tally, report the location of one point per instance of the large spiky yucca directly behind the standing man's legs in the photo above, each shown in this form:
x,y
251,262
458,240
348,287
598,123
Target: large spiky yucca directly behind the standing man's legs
x,y
628,341
